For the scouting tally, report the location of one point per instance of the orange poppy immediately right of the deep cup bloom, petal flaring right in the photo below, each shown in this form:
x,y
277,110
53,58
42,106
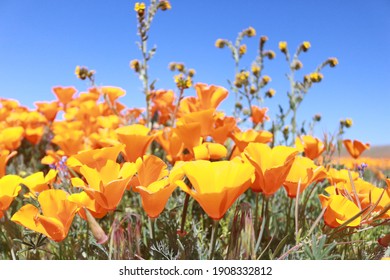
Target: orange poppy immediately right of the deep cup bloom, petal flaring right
x,y
304,172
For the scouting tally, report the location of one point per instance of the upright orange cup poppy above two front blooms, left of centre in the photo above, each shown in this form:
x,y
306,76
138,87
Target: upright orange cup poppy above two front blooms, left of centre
x,y
136,139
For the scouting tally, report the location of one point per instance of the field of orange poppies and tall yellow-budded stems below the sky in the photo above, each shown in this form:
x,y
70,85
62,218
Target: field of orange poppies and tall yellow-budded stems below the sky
x,y
87,177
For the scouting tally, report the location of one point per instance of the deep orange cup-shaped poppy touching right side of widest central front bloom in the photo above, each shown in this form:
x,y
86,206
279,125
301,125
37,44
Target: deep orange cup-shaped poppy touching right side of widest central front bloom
x,y
272,165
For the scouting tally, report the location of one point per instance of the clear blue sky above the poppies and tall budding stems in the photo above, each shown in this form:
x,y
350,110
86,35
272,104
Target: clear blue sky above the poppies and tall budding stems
x,y
41,42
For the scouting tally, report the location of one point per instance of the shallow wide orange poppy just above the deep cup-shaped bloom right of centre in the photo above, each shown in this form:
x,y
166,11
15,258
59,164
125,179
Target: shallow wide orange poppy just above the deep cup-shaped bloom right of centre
x,y
242,139
